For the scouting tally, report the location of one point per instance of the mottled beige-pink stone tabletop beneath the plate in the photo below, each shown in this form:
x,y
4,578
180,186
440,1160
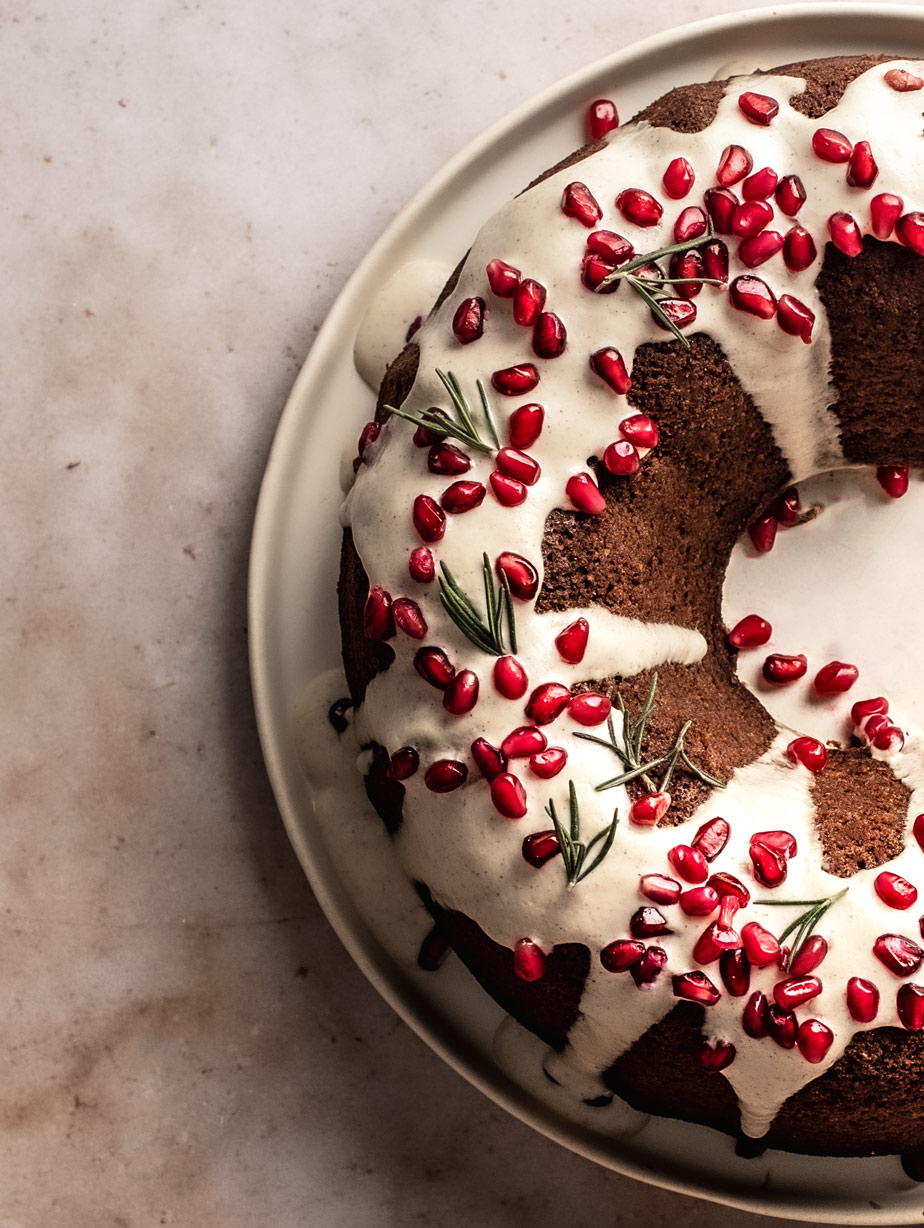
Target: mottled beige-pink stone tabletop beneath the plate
x,y
186,190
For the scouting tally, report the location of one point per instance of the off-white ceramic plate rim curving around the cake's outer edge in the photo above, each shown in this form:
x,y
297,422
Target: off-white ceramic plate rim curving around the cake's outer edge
x,y
294,634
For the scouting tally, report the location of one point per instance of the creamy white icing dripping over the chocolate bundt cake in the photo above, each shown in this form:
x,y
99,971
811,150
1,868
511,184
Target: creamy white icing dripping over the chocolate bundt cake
x,y
458,844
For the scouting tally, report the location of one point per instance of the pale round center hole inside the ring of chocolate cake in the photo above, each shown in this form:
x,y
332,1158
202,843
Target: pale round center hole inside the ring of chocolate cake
x,y
845,586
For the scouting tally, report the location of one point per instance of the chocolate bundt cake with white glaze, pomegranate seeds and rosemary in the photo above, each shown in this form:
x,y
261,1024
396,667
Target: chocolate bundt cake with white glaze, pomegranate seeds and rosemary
x,y
641,359
